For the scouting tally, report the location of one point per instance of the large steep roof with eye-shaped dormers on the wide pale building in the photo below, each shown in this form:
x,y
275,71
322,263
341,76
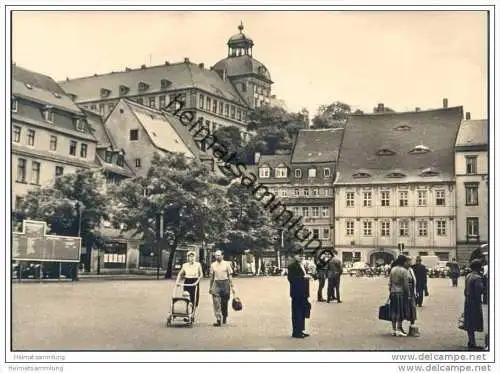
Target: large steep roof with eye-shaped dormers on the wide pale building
x,y
399,147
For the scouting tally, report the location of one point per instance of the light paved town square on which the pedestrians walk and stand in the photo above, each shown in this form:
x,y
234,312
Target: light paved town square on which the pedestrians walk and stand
x,y
130,315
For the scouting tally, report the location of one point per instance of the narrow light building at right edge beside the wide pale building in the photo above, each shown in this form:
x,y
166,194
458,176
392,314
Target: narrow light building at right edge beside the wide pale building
x,y
471,167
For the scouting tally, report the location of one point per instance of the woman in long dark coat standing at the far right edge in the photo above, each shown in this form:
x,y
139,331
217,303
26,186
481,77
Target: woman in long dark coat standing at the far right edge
x,y
473,310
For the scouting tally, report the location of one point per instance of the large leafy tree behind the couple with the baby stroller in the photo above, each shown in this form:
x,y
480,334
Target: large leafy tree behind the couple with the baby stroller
x,y
176,188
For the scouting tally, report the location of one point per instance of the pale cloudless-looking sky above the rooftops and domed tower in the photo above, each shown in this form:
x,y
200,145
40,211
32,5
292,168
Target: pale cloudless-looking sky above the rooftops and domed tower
x,y
404,59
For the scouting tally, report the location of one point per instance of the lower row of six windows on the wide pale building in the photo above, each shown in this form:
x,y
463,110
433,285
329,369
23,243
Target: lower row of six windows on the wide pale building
x,y
422,228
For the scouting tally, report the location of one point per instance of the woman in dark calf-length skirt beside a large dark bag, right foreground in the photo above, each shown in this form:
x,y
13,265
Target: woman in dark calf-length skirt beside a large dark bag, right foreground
x,y
399,291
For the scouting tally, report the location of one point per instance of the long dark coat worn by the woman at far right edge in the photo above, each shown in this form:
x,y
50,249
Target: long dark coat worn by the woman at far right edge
x,y
473,310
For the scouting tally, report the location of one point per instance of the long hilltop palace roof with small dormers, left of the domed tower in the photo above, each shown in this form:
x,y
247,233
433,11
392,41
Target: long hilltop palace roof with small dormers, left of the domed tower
x,y
181,75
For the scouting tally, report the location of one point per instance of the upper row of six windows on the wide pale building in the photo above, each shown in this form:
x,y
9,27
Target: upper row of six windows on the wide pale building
x,y
385,198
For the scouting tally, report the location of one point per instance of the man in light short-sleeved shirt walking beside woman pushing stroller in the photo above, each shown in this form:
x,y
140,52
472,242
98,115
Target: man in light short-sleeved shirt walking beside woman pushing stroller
x,y
221,285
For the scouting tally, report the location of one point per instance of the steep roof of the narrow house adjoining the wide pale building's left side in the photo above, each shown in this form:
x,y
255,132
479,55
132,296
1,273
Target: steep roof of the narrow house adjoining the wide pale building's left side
x,y
317,145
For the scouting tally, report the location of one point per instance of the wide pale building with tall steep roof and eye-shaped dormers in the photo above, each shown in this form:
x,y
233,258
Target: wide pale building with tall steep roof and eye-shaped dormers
x,y
395,189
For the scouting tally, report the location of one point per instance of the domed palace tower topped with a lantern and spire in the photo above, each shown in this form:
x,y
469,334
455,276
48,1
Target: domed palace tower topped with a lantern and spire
x,y
250,77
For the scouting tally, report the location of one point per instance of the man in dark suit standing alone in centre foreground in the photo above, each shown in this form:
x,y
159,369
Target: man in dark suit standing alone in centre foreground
x,y
299,292
